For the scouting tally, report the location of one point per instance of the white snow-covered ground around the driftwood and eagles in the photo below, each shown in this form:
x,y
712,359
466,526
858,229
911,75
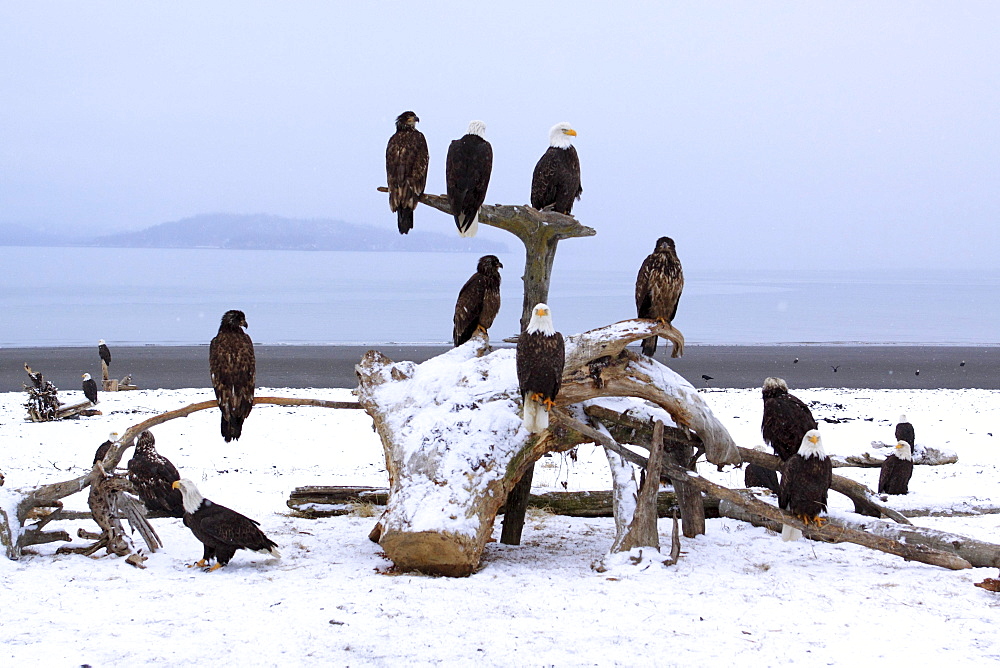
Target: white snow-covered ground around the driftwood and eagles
x,y
738,593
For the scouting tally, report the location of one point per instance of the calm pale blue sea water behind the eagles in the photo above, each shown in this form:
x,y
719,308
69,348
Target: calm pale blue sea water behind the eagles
x,y
75,296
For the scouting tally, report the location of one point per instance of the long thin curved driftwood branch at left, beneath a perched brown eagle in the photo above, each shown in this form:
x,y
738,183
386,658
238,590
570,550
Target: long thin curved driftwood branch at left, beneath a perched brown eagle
x,y
17,506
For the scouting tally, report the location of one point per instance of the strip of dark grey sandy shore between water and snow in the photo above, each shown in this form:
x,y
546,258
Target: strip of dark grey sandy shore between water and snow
x,y
865,366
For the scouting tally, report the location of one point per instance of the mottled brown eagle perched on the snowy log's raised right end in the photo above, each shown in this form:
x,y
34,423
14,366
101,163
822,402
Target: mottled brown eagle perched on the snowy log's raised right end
x,y
658,288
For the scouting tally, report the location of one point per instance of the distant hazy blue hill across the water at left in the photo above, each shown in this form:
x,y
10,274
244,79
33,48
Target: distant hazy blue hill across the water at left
x,y
260,232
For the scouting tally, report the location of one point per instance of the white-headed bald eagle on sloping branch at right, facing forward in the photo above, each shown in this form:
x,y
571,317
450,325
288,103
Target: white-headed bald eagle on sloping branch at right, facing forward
x,y
804,486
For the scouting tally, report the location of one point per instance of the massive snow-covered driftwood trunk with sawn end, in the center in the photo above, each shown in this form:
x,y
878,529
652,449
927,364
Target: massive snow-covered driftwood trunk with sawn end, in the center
x,y
455,446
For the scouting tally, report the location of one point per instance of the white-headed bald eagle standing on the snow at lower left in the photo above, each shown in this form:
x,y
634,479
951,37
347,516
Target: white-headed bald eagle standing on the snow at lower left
x,y
221,530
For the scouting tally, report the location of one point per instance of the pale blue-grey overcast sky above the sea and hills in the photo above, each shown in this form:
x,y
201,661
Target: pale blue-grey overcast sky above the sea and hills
x,y
778,135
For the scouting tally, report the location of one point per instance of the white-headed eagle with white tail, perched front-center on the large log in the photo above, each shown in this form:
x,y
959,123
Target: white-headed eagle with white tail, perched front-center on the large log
x,y
541,355
